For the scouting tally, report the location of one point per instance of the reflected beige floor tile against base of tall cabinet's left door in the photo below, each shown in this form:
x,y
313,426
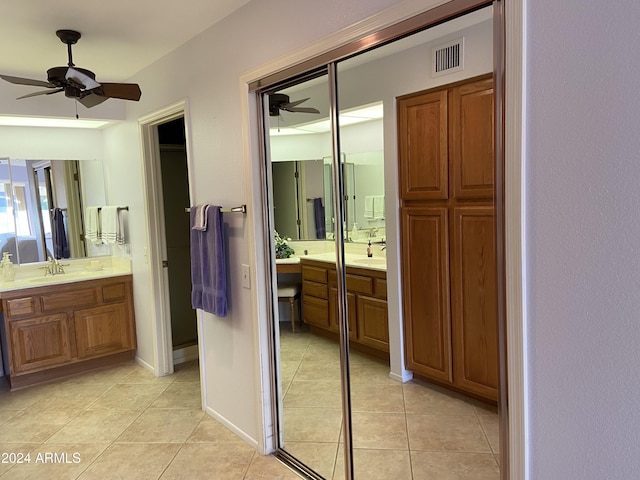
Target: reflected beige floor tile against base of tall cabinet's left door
x,y
421,399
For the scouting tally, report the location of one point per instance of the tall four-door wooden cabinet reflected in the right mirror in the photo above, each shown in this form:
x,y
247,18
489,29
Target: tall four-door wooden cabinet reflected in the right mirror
x,y
448,235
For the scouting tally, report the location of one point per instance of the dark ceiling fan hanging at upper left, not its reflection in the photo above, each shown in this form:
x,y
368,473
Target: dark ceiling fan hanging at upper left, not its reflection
x,y
77,82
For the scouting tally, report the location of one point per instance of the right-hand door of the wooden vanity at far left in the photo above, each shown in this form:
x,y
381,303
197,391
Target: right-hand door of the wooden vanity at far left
x,y
102,330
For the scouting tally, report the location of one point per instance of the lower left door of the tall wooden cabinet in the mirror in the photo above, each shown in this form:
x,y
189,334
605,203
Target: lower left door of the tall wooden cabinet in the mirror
x,y
425,291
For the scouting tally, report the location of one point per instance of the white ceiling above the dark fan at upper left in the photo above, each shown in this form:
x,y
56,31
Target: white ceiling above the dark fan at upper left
x,y
119,37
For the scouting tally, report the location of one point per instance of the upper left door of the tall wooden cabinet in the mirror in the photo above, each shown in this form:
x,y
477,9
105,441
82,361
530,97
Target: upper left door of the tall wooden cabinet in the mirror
x,y
422,139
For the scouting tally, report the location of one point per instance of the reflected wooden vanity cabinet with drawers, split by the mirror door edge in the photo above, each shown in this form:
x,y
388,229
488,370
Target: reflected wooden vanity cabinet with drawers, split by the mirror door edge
x,y
367,312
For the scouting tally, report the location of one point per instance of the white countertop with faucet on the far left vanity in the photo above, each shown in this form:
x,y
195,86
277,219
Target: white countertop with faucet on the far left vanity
x,y
76,270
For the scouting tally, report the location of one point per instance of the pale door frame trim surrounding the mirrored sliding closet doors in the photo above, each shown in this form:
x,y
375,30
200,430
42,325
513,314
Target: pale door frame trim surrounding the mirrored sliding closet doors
x,y
510,40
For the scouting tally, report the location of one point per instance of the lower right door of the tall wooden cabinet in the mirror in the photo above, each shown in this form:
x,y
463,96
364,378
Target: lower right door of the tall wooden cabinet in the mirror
x,y
474,305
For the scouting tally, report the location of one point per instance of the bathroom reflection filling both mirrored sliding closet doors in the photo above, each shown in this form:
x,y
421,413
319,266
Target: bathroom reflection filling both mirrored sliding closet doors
x,y
422,363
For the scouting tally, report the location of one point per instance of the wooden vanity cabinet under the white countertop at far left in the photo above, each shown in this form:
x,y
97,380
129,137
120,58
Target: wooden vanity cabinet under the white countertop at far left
x,y
67,328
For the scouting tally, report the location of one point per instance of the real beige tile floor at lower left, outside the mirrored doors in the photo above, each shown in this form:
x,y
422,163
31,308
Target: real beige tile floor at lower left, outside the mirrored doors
x,y
122,422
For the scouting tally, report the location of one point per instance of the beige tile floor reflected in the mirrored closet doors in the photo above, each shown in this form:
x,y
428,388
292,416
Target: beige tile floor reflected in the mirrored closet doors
x,y
409,431
